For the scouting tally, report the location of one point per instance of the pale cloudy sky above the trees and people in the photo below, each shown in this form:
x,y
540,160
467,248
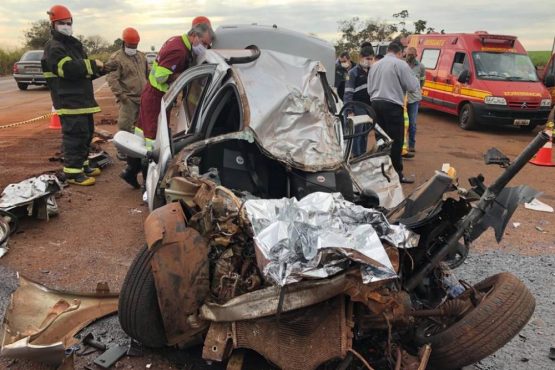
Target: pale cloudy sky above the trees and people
x,y
156,21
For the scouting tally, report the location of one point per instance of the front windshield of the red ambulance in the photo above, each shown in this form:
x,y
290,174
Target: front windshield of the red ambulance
x,y
504,66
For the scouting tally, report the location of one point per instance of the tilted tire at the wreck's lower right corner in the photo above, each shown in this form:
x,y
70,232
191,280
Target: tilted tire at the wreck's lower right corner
x,y
483,330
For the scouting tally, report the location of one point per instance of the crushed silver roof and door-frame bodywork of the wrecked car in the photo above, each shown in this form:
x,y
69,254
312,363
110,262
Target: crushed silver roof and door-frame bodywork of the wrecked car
x,y
282,106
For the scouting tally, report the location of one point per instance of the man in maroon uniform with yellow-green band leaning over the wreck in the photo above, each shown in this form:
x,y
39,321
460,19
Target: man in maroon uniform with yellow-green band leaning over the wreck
x,y
175,56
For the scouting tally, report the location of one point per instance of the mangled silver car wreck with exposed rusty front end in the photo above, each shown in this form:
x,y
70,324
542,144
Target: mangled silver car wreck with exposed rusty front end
x,y
274,238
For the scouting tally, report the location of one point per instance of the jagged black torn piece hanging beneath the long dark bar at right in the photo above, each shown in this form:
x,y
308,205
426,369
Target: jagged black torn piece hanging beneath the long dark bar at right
x,y
499,214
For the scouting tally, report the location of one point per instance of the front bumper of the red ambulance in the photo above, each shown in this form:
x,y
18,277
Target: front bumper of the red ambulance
x,y
499,115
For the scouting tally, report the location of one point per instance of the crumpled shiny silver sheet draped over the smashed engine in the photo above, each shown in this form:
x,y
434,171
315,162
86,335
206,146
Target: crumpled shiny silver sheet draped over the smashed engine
x,y
319,236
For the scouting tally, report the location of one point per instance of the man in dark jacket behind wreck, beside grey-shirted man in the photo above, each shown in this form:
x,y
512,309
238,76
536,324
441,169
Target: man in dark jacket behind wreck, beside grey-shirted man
x,y
356,90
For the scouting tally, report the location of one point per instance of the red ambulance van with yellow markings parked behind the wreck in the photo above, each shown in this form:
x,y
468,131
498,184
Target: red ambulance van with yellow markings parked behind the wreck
x,y
481,78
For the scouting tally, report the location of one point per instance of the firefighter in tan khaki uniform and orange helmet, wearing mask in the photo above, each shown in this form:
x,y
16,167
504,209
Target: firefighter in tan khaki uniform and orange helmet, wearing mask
x,y
129,71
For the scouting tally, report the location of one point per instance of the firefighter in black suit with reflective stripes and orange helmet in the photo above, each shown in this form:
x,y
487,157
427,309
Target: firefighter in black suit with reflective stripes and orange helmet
x,y
69,74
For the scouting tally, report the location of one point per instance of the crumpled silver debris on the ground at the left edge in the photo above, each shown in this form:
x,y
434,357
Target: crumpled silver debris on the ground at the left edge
x,y
37,193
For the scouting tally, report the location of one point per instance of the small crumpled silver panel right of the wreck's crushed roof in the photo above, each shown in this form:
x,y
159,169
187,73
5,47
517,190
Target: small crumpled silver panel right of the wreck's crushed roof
x,y
377,174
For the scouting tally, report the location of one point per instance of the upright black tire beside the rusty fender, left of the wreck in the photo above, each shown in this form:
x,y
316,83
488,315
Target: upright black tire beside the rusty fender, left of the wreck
x,y
138,312
